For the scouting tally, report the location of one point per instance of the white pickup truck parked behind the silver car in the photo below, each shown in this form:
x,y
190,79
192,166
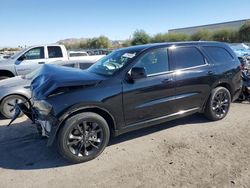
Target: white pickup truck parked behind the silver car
x,y
31,58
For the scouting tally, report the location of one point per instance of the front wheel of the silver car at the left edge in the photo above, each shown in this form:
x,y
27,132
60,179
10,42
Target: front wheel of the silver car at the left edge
x,y
8,103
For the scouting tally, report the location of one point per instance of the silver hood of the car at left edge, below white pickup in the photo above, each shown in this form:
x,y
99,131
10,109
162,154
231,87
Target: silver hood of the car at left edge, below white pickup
x,y
14,82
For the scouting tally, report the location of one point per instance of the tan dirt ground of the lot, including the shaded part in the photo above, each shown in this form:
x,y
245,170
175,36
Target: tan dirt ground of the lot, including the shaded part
x,y
190,152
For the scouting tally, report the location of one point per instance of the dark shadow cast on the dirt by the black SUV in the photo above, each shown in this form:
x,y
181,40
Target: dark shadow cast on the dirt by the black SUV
x,y
21,148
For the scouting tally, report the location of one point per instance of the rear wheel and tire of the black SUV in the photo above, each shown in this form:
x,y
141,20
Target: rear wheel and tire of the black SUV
x,y
218,104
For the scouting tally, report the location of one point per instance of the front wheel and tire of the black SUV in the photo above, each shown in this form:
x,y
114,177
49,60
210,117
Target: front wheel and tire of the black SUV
x,y
77,145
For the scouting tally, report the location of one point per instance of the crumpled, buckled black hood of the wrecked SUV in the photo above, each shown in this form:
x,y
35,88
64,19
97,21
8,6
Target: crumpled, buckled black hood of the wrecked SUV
x,y
51,78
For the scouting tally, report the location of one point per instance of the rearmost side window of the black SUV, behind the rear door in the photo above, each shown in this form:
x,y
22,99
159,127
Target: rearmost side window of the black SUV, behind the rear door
x,y
218,54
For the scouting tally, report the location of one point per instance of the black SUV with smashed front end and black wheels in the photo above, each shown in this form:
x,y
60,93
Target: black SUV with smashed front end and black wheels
x,y
132,88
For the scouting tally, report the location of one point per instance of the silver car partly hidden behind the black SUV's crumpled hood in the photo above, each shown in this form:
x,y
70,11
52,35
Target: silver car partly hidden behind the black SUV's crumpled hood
x,y
17,89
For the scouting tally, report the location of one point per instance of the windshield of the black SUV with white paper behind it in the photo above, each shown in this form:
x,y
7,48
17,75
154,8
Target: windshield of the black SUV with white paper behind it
x,y
113,62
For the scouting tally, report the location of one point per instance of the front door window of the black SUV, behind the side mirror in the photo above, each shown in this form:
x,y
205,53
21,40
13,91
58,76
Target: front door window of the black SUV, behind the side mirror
x,y
155,61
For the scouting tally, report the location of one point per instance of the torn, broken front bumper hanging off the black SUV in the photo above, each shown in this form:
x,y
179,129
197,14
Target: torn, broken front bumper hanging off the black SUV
x,y
46,124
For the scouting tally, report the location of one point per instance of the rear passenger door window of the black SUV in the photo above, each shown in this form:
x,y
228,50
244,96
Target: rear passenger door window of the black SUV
x,y
186,57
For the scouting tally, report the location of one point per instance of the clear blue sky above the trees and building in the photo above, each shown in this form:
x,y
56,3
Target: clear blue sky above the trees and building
x,y
33,22
